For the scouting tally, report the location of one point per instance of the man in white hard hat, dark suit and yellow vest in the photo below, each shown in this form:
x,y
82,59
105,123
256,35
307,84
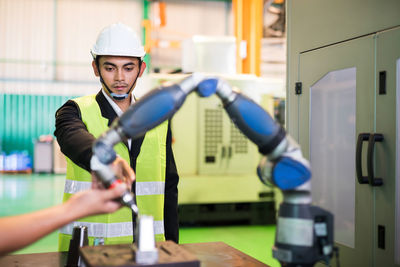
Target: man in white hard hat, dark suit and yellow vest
x,y
117,61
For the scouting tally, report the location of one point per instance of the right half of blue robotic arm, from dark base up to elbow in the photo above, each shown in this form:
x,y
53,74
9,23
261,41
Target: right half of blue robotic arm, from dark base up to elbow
x,y
304,233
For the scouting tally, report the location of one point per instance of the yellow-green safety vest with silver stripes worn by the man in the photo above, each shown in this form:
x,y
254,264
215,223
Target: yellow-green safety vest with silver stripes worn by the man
x,y
116,228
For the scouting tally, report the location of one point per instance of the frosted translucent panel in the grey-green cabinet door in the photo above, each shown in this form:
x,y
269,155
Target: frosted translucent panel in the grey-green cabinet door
x,y
332,144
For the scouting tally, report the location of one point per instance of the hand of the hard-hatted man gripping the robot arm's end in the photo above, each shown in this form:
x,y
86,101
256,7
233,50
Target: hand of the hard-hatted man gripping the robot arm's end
x,y
121,169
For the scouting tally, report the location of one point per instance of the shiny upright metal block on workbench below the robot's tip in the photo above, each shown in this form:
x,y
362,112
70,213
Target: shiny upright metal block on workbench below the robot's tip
x,y
146,252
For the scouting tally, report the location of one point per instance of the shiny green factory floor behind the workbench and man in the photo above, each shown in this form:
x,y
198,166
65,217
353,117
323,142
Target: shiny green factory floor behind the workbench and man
x,y
24,193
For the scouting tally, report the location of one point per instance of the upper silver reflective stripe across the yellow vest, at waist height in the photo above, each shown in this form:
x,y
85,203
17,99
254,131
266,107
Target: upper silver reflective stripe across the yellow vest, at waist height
x,y
142,188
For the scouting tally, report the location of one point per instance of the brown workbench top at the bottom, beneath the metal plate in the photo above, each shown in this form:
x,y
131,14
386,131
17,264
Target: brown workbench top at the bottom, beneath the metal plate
x,y
210,254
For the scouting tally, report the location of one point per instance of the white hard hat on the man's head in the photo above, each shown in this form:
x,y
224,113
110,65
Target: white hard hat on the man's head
x,y
118,40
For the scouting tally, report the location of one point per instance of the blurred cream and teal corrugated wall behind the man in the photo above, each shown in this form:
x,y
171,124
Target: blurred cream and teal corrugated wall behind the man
x,y
45,53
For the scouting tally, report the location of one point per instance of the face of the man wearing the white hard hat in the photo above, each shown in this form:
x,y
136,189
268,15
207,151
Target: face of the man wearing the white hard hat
x,y
118,73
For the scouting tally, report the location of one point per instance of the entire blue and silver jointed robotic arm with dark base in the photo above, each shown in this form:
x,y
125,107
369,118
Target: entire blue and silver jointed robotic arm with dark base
x,y
304,232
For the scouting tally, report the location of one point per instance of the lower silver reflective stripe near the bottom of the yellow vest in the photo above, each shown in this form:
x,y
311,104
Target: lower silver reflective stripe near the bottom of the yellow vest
x,y
107,230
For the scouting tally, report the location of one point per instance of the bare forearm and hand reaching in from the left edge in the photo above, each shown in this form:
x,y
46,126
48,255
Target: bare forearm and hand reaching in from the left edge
x,y
19,231
